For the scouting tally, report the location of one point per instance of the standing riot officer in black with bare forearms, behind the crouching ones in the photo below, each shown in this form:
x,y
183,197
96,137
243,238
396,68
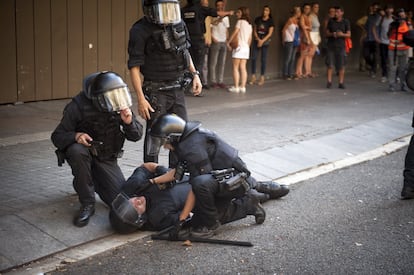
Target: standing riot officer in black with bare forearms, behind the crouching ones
x,y
158,49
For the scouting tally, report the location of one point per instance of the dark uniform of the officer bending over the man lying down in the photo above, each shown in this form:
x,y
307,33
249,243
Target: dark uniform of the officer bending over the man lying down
x,y
203,151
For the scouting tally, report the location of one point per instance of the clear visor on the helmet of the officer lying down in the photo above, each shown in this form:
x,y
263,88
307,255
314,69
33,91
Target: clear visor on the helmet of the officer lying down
x,y
126,211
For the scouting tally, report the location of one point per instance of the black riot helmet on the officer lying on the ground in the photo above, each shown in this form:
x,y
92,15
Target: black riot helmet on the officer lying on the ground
x,y
123,217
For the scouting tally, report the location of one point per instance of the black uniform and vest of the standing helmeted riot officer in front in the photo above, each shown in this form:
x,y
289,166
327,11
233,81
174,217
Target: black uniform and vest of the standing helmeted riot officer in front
x,y
162,54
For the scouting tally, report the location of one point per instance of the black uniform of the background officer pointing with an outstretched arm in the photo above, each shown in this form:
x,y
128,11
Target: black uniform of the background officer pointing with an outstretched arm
x,y
194,16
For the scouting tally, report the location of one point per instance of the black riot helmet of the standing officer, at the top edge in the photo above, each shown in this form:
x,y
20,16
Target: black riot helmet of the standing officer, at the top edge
x,y
162,12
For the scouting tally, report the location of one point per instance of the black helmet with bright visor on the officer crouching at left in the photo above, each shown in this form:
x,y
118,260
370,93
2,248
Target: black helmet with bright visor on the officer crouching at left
x,y
108,91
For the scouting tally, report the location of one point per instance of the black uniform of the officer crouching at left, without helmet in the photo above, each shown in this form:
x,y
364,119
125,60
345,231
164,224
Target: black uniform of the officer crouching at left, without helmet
x,y
94,169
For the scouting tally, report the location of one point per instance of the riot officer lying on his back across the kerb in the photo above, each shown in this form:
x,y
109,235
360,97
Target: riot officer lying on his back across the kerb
x,y
146,206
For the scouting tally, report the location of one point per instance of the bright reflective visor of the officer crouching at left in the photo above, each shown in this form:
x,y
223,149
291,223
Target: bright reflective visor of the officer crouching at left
x,y
117,99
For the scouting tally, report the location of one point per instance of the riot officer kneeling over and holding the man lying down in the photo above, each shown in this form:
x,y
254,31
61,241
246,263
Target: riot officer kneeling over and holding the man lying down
x,y
200,152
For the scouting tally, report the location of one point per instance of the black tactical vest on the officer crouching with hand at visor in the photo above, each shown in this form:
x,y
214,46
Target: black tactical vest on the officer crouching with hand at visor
x,y
101,126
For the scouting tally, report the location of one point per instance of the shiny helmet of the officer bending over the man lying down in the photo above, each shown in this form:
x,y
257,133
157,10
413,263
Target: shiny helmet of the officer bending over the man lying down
x,y
168,128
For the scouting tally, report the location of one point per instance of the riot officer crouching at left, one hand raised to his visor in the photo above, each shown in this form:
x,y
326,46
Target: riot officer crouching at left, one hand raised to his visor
x,y
90,137
